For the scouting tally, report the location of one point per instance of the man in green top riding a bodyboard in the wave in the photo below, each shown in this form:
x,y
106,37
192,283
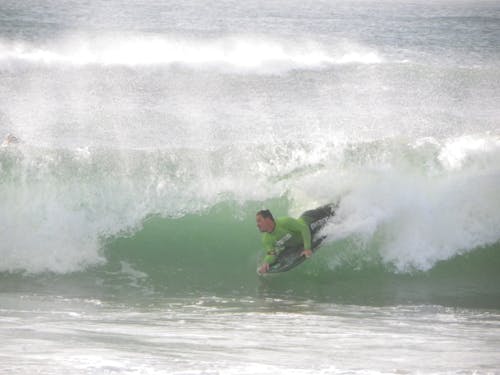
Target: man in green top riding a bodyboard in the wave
x,y
287,231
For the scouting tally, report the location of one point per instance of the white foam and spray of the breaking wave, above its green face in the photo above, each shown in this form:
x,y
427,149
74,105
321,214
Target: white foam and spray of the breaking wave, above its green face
x,y
401,199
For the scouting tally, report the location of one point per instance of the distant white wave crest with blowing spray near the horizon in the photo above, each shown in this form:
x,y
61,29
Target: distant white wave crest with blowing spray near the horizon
x,y
240,53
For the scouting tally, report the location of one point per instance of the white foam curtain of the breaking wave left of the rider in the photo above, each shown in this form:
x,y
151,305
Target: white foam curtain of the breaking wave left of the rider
x,y
57,206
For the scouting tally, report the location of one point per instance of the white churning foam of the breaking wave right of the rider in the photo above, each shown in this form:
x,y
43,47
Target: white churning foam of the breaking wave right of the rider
x,y
413,217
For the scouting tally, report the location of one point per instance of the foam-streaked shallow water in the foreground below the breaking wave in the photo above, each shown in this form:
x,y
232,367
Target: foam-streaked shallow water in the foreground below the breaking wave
x,y
250,336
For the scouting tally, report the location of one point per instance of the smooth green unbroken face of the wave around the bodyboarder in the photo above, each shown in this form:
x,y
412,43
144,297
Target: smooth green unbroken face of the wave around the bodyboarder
x,y
206,254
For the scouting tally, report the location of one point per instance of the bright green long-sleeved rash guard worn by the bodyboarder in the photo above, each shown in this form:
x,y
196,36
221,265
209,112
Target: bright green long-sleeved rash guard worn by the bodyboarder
x,y
288,231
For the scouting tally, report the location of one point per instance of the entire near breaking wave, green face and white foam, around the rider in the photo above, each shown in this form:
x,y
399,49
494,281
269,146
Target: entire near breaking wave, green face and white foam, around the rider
x,y
417,221
